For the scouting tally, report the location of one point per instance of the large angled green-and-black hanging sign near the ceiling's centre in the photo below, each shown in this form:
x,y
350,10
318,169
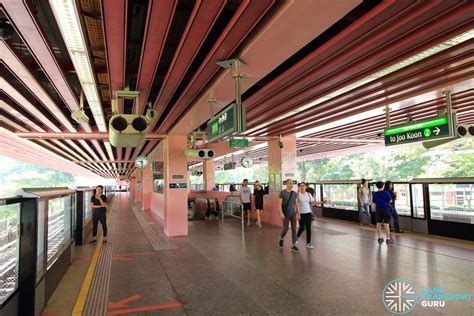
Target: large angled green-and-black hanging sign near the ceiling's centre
x,y
222,125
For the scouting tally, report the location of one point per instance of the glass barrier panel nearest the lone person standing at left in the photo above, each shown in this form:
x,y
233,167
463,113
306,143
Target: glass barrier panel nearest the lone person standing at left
x,y
59,227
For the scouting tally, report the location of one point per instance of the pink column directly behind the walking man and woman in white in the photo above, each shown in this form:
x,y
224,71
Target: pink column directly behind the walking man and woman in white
x,y
281,166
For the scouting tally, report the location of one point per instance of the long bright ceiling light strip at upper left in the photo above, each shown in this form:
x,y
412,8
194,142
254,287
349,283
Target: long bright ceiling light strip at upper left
x,y
67,17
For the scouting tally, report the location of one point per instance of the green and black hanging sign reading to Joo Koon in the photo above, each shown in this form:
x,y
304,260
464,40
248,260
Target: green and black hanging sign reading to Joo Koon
x,y
416,132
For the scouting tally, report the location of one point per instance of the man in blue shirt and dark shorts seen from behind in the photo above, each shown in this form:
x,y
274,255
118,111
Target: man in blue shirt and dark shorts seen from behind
x,y
383,211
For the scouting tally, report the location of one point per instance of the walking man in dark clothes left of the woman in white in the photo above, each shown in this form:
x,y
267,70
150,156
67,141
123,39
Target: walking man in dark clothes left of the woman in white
x,y
288,213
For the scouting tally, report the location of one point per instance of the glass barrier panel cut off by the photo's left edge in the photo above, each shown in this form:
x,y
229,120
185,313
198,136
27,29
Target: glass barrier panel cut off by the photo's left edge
x,y
9,249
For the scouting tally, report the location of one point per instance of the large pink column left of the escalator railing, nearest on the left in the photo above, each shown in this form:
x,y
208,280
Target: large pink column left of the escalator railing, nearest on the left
x,y
176,198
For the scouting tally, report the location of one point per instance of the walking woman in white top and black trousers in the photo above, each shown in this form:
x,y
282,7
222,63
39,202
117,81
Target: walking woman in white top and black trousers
x,y
304,202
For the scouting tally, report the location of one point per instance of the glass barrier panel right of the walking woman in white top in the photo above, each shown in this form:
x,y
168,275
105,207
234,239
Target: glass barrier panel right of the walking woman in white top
x,y
341,196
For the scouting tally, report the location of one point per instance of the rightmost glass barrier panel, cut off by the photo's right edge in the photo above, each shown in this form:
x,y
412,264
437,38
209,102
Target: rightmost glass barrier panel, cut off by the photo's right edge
x,y
452,202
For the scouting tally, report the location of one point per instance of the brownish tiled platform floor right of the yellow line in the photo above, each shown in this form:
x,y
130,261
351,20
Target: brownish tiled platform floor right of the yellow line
x,y
218,271
